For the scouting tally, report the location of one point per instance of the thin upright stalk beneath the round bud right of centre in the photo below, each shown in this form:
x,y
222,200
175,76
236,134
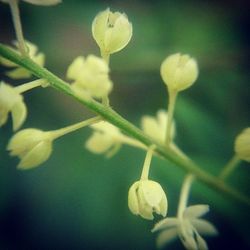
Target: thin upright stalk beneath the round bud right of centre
x,y
171,104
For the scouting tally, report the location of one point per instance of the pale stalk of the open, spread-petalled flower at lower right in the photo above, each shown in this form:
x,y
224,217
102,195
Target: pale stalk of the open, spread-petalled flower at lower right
x,y
184,194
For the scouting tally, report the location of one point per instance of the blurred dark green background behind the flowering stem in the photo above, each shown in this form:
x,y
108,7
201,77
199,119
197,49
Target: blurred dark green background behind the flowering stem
x,y
77,200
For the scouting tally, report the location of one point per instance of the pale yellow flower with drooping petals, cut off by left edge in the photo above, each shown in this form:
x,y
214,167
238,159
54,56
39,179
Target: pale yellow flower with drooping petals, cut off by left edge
x,y
11,101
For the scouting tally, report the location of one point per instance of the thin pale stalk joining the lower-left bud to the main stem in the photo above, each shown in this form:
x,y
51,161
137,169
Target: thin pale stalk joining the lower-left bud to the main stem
x,y
63,131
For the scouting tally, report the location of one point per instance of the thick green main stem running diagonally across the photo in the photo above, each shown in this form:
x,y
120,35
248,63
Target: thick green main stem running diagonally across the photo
x,y
111,116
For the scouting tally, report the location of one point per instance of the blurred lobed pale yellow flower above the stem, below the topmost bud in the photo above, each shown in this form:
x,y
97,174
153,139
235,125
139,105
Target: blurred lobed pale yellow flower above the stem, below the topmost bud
x,y
90,76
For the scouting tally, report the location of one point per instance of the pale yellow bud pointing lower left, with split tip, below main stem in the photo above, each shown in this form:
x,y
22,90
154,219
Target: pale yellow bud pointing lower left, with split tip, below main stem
x,y
32,146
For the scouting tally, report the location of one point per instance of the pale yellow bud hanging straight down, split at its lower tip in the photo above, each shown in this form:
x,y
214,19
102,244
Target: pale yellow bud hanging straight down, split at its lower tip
x,y
146,197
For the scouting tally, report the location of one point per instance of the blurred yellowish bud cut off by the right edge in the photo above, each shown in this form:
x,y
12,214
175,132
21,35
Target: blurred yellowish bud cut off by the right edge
x,y
242,145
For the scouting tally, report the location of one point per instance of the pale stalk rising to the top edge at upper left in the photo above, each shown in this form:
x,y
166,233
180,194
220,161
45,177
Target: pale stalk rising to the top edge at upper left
x,y
18,27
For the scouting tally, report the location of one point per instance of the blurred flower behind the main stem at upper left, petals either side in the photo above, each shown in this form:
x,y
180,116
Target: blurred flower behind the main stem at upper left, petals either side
x,y
19,72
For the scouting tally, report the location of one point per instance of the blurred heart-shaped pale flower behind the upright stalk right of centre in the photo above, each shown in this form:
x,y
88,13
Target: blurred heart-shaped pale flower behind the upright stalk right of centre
x,y
156,127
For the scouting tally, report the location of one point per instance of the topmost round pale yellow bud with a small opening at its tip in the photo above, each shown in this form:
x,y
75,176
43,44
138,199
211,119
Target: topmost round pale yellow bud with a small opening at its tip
x,y
112,31
